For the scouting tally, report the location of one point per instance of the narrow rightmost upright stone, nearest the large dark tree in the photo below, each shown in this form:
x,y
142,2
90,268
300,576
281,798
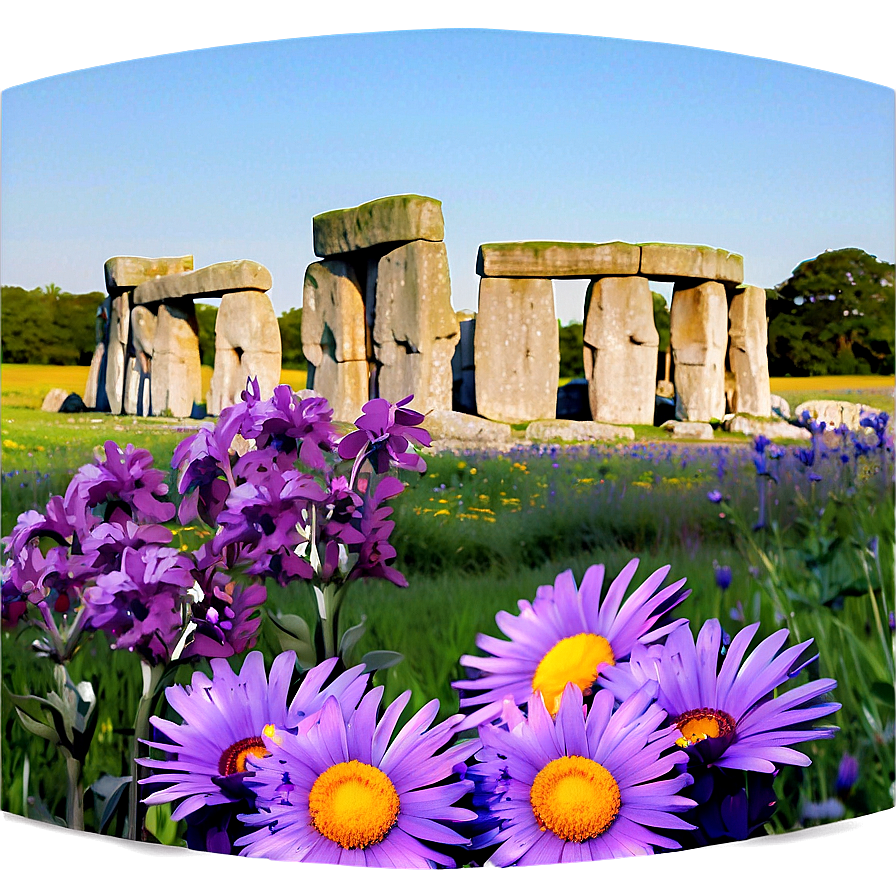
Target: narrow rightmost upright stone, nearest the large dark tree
x,y
748,352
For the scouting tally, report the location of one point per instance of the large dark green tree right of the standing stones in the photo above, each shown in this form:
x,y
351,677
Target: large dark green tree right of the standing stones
x,y
833,315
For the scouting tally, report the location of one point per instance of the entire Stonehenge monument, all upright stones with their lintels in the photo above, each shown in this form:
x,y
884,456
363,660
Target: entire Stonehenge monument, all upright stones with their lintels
x,y
377,322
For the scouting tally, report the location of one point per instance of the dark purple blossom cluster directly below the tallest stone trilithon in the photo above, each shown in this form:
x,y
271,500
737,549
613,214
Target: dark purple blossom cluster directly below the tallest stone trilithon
x,y
281,504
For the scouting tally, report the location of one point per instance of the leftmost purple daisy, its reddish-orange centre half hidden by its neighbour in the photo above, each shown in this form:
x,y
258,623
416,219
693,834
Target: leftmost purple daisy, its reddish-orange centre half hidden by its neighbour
x,y
223,722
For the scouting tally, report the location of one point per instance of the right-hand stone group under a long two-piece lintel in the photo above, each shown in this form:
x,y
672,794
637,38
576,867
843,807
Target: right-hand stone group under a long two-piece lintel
x,y
620,337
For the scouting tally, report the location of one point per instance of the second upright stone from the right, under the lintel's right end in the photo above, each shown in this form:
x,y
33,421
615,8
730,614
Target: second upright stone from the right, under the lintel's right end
x,y
699,339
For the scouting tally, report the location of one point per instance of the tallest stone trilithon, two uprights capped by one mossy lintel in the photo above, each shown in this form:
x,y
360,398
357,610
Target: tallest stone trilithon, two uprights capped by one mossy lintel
x,y
377,319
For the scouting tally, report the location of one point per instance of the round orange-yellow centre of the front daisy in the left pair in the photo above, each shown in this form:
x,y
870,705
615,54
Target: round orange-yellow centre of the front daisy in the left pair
x,y
353,804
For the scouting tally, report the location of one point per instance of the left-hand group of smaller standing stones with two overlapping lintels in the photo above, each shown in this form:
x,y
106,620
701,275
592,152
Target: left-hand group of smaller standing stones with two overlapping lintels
x,y
147,356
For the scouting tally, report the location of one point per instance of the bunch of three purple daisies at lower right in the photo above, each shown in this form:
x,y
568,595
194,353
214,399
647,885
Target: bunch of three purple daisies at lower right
x,y
629,724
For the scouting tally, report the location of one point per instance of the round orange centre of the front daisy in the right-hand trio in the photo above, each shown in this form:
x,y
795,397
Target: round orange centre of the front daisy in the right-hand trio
x,y
575,798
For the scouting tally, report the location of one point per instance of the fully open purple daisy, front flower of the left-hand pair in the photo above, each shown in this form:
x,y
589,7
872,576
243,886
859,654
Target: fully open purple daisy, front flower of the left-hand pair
x,y
338,793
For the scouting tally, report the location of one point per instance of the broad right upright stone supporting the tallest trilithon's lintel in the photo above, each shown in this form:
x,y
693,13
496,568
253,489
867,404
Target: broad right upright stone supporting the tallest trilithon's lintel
x,y
415,328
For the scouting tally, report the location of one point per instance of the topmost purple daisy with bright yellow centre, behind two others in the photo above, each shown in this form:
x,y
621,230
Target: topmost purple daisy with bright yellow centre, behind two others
x,y
568,635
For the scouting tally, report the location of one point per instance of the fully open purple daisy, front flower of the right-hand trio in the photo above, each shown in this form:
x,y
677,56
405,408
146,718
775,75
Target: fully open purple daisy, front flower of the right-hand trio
x,y
582,787
